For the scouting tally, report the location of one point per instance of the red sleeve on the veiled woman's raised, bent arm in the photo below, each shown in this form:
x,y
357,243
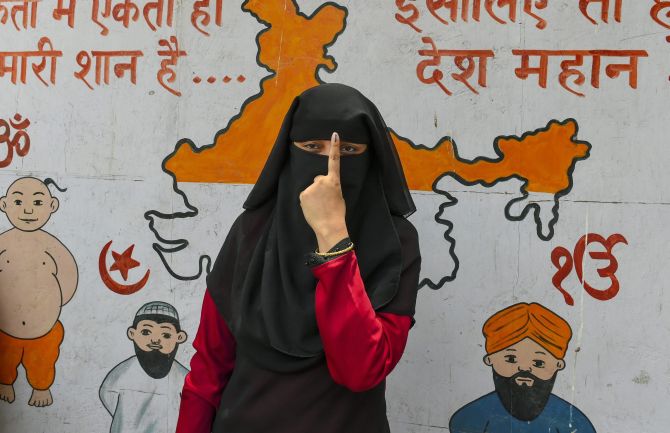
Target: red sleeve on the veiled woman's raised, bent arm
x,y
362,347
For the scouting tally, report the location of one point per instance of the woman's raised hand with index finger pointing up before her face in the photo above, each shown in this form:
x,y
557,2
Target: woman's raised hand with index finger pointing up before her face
x,y
322,202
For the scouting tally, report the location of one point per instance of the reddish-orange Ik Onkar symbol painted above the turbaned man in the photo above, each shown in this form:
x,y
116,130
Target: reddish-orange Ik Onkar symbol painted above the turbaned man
x,y
564,263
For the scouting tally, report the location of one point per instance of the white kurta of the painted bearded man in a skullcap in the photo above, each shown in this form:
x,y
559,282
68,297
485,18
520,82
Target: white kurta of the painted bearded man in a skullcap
x,y
139,403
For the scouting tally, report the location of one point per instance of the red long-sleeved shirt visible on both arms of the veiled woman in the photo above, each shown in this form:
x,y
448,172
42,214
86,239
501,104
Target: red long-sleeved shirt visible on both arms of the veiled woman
x,y
361,346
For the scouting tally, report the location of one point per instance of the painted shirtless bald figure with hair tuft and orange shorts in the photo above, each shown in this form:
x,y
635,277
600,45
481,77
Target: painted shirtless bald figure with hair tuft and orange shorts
x,y
38,275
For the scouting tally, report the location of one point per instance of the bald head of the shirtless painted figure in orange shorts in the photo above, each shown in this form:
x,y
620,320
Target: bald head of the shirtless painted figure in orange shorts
x,y
28,204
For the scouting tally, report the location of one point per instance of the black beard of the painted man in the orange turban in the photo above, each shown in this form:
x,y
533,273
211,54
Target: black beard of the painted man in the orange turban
x,y
522,401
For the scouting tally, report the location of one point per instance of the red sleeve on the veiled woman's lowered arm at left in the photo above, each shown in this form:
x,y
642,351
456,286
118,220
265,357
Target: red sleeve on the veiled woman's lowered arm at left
x,y
211,367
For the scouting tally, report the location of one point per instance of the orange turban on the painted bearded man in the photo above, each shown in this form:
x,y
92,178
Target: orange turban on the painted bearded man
x,y
519,321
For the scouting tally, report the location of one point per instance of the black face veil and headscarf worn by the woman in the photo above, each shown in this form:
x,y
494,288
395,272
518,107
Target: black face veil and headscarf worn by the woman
x,y
259,281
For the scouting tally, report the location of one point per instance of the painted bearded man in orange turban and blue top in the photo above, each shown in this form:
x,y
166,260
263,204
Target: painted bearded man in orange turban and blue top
x,y
525,346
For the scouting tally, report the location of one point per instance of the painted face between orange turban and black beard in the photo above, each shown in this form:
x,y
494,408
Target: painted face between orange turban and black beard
x,y
525,356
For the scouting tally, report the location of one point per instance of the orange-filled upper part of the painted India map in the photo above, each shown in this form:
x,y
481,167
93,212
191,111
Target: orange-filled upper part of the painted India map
x,y
294,47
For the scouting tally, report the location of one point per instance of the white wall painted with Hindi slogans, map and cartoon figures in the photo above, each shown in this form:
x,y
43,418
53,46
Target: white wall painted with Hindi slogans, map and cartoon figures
x,y
533,137
